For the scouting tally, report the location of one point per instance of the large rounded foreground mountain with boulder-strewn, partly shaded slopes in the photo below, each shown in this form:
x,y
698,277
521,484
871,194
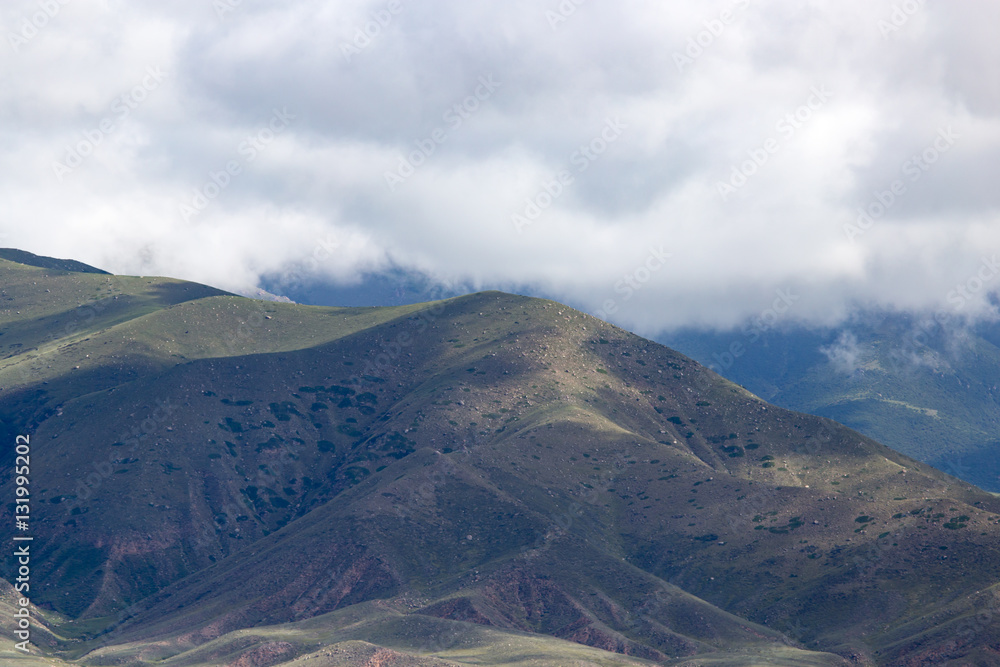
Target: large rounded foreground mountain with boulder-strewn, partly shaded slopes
x,y
488,479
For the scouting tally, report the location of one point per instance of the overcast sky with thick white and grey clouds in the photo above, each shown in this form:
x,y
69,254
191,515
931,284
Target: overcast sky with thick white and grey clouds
x,y
658,164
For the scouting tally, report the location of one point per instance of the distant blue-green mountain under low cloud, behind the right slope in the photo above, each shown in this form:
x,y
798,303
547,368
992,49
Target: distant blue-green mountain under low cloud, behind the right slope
x,y
923,385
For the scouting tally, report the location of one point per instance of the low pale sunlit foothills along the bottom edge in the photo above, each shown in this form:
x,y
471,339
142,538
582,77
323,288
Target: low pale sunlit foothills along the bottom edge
x,y
381,631
